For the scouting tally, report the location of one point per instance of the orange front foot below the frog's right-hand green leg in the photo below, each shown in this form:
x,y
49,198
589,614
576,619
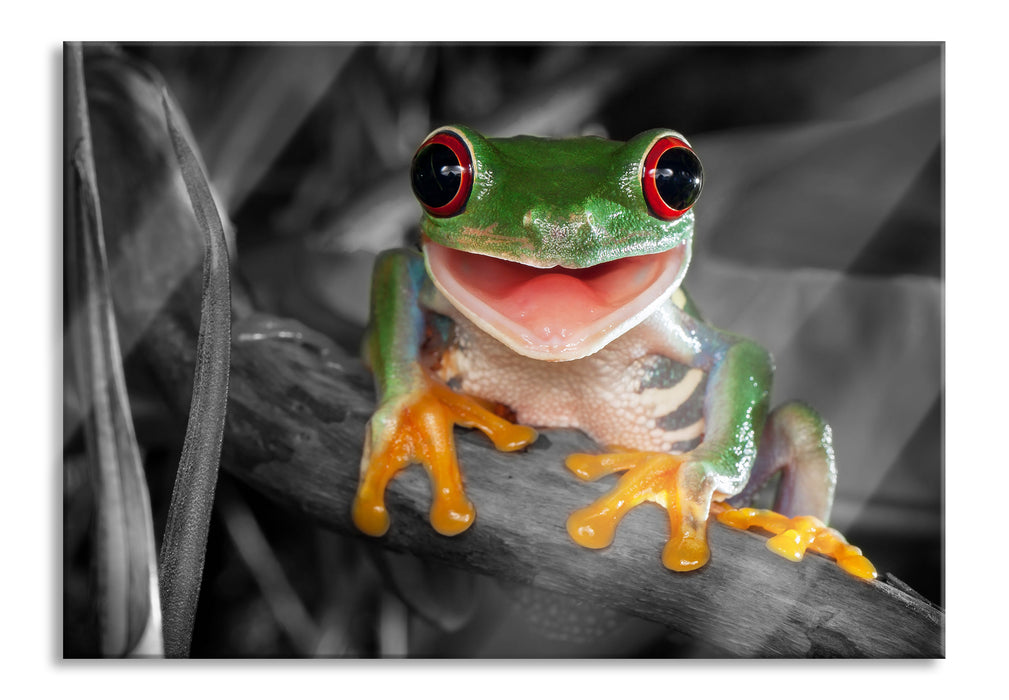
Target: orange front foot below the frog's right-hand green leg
x,y
674,482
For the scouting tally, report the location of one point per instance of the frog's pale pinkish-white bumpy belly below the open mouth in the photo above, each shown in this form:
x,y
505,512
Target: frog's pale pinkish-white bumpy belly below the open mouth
x,y
621,396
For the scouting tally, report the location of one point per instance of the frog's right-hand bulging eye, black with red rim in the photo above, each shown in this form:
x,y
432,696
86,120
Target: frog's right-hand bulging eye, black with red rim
x,y
671,178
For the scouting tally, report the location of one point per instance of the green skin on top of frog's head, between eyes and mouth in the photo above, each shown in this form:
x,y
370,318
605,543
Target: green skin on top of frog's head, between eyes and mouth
x,y
589,187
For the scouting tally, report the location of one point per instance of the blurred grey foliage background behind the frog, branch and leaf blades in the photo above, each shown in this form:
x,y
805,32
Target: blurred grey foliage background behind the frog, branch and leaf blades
x,y
820,235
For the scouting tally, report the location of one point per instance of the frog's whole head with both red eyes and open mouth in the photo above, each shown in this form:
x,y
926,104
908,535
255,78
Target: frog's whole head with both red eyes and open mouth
x,y
556,247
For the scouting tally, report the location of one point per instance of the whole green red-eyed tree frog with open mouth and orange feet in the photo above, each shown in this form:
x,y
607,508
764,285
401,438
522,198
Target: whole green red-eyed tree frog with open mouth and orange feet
x,y
548,281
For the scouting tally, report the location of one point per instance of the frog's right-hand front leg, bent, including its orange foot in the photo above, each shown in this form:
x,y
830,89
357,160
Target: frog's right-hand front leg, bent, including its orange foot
x,y
736,407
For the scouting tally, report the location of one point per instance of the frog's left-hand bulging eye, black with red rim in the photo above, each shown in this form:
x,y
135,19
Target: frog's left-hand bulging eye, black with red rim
x,y
442,175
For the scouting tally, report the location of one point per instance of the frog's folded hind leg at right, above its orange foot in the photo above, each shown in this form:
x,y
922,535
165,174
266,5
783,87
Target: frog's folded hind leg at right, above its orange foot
x,y
798,443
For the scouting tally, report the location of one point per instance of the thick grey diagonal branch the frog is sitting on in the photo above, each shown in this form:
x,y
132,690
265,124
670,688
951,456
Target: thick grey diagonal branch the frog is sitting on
x,y
295,433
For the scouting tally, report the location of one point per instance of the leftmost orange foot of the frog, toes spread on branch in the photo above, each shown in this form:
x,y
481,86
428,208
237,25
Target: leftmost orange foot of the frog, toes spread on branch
x,y
418,428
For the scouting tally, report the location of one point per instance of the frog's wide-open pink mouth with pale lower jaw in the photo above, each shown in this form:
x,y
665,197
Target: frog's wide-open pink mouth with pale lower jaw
x,y
555,314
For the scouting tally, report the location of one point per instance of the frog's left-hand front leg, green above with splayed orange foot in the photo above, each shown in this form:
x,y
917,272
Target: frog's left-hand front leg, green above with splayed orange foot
x,y
416,411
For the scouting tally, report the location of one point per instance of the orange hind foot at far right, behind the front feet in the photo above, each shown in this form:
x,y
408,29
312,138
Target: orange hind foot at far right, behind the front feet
x,y
794,536
